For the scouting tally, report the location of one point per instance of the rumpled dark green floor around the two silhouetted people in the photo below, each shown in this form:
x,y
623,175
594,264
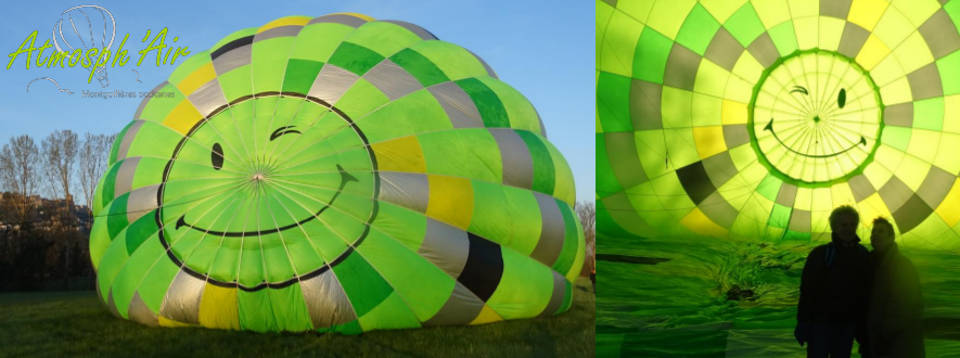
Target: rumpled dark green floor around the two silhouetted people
x,y
681,306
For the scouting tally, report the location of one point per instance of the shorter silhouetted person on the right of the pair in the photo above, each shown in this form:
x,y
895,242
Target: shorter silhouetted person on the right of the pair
x,y
895,304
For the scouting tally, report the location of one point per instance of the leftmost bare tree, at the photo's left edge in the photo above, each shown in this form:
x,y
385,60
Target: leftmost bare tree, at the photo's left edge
x,y
19,171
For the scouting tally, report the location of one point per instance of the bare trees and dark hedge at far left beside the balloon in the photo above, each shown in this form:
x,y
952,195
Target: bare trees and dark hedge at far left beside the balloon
x,y
43,231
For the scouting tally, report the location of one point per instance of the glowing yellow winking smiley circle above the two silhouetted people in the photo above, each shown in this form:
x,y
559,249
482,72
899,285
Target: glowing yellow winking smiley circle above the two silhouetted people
x,y
815,118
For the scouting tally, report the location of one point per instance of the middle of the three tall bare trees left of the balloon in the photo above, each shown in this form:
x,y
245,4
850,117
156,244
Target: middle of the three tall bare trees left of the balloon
x,y
59,150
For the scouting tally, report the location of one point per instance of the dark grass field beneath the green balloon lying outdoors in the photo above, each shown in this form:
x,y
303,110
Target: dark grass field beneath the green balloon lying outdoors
x,y
75,323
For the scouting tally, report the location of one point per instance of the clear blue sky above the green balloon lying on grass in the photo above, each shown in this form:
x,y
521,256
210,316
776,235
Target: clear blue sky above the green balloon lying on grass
x,y
544,50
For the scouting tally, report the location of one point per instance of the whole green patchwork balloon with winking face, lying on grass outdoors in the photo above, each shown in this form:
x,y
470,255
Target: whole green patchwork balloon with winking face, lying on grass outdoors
x,y
335,174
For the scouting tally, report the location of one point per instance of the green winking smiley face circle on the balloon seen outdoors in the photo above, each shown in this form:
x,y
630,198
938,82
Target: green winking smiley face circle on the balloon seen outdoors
x,y
266,176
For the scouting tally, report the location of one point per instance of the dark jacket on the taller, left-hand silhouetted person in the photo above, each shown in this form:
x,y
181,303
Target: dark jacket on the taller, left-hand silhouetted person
x,y
834,284
